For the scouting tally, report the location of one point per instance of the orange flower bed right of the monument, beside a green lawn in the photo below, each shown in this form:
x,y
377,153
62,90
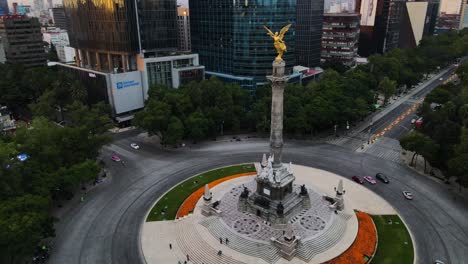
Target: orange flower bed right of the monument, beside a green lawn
x,y
364,244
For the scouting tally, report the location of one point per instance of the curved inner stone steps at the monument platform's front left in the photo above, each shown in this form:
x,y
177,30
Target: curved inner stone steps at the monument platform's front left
x,y
262,250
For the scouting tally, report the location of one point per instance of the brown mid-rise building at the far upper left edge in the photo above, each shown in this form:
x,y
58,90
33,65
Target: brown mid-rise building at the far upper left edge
x,y
22,40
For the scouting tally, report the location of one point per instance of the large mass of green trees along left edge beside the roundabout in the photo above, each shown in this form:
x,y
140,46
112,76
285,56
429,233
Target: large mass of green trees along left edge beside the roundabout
x,y
60,159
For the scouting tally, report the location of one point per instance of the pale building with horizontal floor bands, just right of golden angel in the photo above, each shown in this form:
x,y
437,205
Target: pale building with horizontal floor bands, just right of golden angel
x,y
340,37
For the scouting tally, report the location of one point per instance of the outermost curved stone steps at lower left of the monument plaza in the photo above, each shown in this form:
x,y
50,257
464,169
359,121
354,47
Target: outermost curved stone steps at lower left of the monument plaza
x,y
190,242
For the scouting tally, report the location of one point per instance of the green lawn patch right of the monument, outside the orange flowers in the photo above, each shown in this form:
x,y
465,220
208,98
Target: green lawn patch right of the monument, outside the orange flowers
x,y
394,241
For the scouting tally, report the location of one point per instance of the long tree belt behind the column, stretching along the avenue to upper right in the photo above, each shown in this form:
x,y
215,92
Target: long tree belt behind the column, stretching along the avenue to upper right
x,y
203,110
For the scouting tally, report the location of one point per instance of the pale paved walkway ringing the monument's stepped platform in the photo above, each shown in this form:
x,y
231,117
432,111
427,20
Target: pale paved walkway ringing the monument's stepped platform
x,y
187,236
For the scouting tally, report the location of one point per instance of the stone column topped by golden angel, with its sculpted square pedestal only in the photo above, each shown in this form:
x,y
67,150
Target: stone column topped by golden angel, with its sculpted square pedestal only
x,y
274,199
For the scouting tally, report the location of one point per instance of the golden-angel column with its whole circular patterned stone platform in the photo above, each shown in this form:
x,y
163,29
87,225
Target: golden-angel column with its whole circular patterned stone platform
x,y
272,210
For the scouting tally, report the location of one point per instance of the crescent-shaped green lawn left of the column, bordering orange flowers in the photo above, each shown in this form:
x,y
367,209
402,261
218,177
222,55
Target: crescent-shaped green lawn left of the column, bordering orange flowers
x,y
174,199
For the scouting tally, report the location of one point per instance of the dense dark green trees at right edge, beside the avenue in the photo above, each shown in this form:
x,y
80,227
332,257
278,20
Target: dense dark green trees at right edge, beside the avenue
x,y
443,137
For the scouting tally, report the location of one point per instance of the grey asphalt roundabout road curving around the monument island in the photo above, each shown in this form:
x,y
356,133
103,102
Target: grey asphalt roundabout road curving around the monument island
x,y
128,203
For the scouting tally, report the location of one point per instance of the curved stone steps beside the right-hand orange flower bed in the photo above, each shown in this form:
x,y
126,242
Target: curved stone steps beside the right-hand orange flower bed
x,y
308,249
